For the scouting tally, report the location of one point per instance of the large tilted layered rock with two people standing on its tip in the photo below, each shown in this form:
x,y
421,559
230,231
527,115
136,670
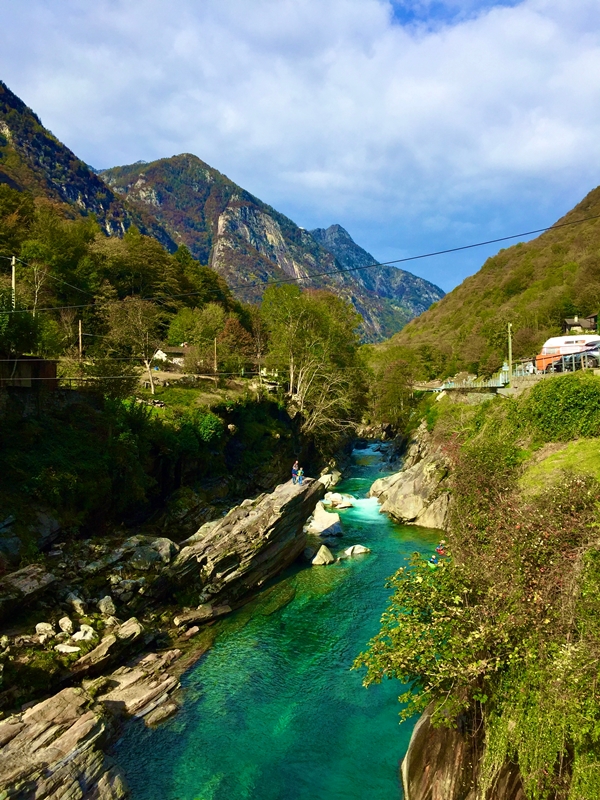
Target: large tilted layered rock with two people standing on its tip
x,y
247,547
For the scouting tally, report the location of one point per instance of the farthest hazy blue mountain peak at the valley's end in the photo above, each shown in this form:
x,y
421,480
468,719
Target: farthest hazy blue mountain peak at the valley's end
x,y
405,291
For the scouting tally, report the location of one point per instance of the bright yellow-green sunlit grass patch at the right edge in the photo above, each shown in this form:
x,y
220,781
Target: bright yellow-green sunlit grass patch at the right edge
x,y
581,456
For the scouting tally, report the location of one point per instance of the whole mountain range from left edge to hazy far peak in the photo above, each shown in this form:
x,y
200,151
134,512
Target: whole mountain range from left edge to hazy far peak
x,y
182,200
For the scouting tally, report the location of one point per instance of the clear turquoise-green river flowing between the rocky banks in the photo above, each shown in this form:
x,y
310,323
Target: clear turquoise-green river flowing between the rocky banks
x,y
273,711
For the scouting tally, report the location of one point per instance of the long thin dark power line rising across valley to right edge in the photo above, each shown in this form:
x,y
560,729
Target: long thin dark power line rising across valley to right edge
x,y
297,279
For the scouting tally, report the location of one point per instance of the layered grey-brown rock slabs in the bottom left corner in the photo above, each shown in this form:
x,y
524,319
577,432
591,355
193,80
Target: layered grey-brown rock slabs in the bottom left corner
x,y
55,749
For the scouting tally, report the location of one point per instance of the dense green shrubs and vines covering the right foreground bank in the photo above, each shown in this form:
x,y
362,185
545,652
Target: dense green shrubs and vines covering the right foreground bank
x,y
504,636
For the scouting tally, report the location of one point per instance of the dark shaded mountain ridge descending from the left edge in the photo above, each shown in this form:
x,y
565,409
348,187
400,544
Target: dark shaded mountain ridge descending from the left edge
x,y
32,159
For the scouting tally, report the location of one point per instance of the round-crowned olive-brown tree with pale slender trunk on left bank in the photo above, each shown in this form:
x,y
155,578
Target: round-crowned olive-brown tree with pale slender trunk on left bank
x,y
134,330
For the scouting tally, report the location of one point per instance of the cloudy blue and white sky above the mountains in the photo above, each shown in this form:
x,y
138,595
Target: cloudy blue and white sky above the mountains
x,y
418,125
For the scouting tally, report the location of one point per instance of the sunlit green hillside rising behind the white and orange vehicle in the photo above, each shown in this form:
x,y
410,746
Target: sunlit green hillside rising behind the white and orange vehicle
x,y
533,285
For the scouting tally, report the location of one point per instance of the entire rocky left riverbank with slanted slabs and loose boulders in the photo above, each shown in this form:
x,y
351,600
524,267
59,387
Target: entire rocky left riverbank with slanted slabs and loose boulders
x,y
55,748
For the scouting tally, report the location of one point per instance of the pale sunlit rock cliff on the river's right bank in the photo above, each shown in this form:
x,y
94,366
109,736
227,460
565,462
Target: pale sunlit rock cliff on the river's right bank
x,y
418,494
